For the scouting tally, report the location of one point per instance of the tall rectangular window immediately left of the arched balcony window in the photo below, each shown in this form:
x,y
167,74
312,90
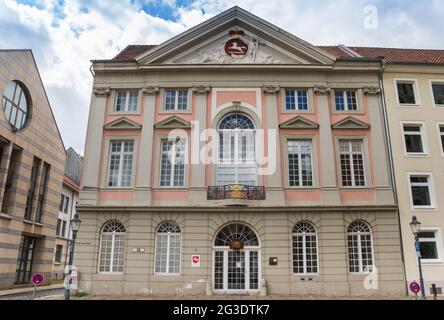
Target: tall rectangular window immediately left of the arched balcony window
x,y
172,163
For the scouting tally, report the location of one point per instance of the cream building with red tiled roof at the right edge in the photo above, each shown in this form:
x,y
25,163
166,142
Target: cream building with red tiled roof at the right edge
x,y
413,84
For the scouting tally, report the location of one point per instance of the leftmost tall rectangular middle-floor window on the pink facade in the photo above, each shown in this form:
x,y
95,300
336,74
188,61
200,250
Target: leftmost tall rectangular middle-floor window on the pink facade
x,y
120,165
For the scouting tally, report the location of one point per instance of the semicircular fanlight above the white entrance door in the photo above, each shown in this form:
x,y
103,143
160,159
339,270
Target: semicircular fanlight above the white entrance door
x,y
236,231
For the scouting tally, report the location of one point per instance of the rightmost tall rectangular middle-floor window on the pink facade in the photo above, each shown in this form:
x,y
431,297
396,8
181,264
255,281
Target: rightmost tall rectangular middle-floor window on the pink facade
x,y
352,163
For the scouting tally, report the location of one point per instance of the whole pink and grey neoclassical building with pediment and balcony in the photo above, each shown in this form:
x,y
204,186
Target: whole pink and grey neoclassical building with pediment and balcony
x,y
237,158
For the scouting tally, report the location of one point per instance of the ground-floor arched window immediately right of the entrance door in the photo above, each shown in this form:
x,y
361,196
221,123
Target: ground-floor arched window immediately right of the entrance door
x,y
305,248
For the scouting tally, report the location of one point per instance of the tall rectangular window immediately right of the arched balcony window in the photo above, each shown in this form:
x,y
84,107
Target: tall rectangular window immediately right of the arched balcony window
x,y
300,163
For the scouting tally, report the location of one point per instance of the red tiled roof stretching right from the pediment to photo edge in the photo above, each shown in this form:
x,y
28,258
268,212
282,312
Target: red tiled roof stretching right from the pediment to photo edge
x,y
392,55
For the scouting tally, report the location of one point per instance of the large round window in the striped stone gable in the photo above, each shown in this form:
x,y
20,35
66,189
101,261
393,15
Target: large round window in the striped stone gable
x,y
16,104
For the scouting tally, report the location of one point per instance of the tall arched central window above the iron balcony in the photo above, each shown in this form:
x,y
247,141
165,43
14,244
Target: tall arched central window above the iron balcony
x,y
237,164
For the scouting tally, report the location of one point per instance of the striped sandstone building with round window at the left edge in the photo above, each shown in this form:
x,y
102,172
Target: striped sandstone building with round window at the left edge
x,y
31,169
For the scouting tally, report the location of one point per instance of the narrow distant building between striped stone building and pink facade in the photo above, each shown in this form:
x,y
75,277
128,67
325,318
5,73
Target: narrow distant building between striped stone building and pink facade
x,y
67,209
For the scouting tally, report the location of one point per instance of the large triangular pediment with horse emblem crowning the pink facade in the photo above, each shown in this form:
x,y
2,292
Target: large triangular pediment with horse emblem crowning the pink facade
x,y
265,44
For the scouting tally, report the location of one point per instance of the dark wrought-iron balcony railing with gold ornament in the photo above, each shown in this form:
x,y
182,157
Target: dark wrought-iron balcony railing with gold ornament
x,y
236,191
